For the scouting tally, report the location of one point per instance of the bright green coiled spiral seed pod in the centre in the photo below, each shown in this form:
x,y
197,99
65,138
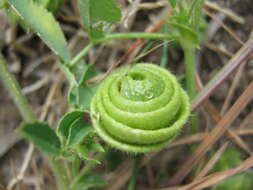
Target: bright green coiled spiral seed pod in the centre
x,y
140,108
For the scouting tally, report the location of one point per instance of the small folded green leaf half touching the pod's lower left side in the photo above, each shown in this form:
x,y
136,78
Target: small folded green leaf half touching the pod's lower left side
x,y
78,131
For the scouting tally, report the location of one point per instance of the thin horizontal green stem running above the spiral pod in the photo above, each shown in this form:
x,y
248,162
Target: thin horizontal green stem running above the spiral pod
x,y
136,35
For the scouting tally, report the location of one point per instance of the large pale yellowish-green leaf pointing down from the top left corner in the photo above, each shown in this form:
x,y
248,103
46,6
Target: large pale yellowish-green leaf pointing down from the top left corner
x,y
44,24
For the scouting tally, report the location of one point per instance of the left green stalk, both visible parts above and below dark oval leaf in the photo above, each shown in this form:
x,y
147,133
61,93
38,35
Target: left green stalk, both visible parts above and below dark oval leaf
x,y
28,115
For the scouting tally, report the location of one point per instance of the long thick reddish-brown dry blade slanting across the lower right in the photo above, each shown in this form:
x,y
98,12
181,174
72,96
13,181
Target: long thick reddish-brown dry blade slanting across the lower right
x,y
216,133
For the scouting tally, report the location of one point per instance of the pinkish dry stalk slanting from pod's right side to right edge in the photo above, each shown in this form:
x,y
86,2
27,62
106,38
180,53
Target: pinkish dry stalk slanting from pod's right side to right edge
x,y
242,55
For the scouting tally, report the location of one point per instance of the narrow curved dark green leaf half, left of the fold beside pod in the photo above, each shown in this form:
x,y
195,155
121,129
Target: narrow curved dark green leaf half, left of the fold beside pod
x,y
65,123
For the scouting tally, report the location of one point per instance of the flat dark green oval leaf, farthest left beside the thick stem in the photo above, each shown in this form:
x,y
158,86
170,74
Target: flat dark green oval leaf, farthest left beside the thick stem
x,y
42,136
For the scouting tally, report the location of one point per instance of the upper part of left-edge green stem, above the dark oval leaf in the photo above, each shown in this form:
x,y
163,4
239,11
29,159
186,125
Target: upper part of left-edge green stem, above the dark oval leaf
x,y
14,90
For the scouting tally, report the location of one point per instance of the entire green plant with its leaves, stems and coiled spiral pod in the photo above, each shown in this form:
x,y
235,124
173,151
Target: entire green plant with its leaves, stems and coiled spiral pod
x,y
137,109
